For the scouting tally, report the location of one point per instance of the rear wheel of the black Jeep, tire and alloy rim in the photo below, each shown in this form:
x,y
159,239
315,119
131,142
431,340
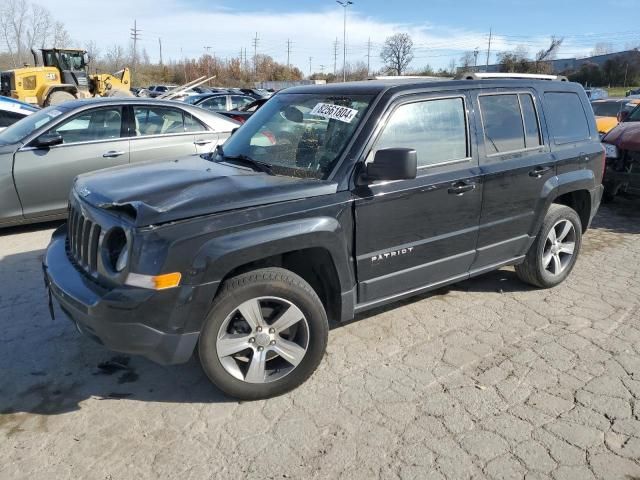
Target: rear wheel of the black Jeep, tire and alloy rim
x,y
555,250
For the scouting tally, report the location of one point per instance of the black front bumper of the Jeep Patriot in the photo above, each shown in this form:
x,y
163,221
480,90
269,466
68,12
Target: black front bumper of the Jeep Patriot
x,y
160,325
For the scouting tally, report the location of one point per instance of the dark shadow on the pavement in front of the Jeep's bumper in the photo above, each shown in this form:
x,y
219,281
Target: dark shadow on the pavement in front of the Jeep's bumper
x,y
48,368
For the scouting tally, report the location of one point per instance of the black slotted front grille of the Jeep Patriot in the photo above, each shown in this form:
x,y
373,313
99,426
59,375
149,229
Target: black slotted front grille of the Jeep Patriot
x,y
83,240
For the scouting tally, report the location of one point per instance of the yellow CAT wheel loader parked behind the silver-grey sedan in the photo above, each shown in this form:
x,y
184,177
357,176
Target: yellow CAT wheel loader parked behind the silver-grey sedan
x,y
61,77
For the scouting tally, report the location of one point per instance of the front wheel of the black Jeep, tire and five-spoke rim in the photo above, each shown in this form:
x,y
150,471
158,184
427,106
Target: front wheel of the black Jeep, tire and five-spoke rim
x,y
265,334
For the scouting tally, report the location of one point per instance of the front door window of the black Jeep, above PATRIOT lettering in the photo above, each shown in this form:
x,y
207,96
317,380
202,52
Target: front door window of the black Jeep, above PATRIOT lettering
x,y
436,129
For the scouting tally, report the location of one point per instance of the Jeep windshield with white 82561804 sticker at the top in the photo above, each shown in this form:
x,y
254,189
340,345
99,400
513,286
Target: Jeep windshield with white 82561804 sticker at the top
x,y
300,135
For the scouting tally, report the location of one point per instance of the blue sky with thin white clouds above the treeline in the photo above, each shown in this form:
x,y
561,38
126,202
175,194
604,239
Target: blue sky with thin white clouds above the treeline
x,y
442,29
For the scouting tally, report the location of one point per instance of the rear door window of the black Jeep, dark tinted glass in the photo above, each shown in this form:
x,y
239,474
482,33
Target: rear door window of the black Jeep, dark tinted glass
x,y
510,122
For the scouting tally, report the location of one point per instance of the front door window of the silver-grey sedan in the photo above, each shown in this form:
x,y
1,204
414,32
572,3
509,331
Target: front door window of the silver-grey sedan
x,y
98,124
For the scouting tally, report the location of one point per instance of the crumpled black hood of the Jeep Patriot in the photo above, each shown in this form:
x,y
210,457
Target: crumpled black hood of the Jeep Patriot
x,y
154,193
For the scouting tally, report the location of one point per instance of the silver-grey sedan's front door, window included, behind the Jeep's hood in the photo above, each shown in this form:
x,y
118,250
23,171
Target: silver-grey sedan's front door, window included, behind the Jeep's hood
x,y
93,139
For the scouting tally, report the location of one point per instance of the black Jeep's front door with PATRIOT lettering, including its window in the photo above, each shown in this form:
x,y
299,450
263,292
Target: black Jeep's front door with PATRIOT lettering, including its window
x,y
416,234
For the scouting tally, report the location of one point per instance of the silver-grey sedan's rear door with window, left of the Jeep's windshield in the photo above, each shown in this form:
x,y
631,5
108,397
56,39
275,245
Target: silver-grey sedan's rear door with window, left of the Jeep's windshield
x,y
162,133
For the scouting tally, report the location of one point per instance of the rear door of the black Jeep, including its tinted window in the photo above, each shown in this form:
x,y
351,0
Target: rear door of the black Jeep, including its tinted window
x,y
516,162
